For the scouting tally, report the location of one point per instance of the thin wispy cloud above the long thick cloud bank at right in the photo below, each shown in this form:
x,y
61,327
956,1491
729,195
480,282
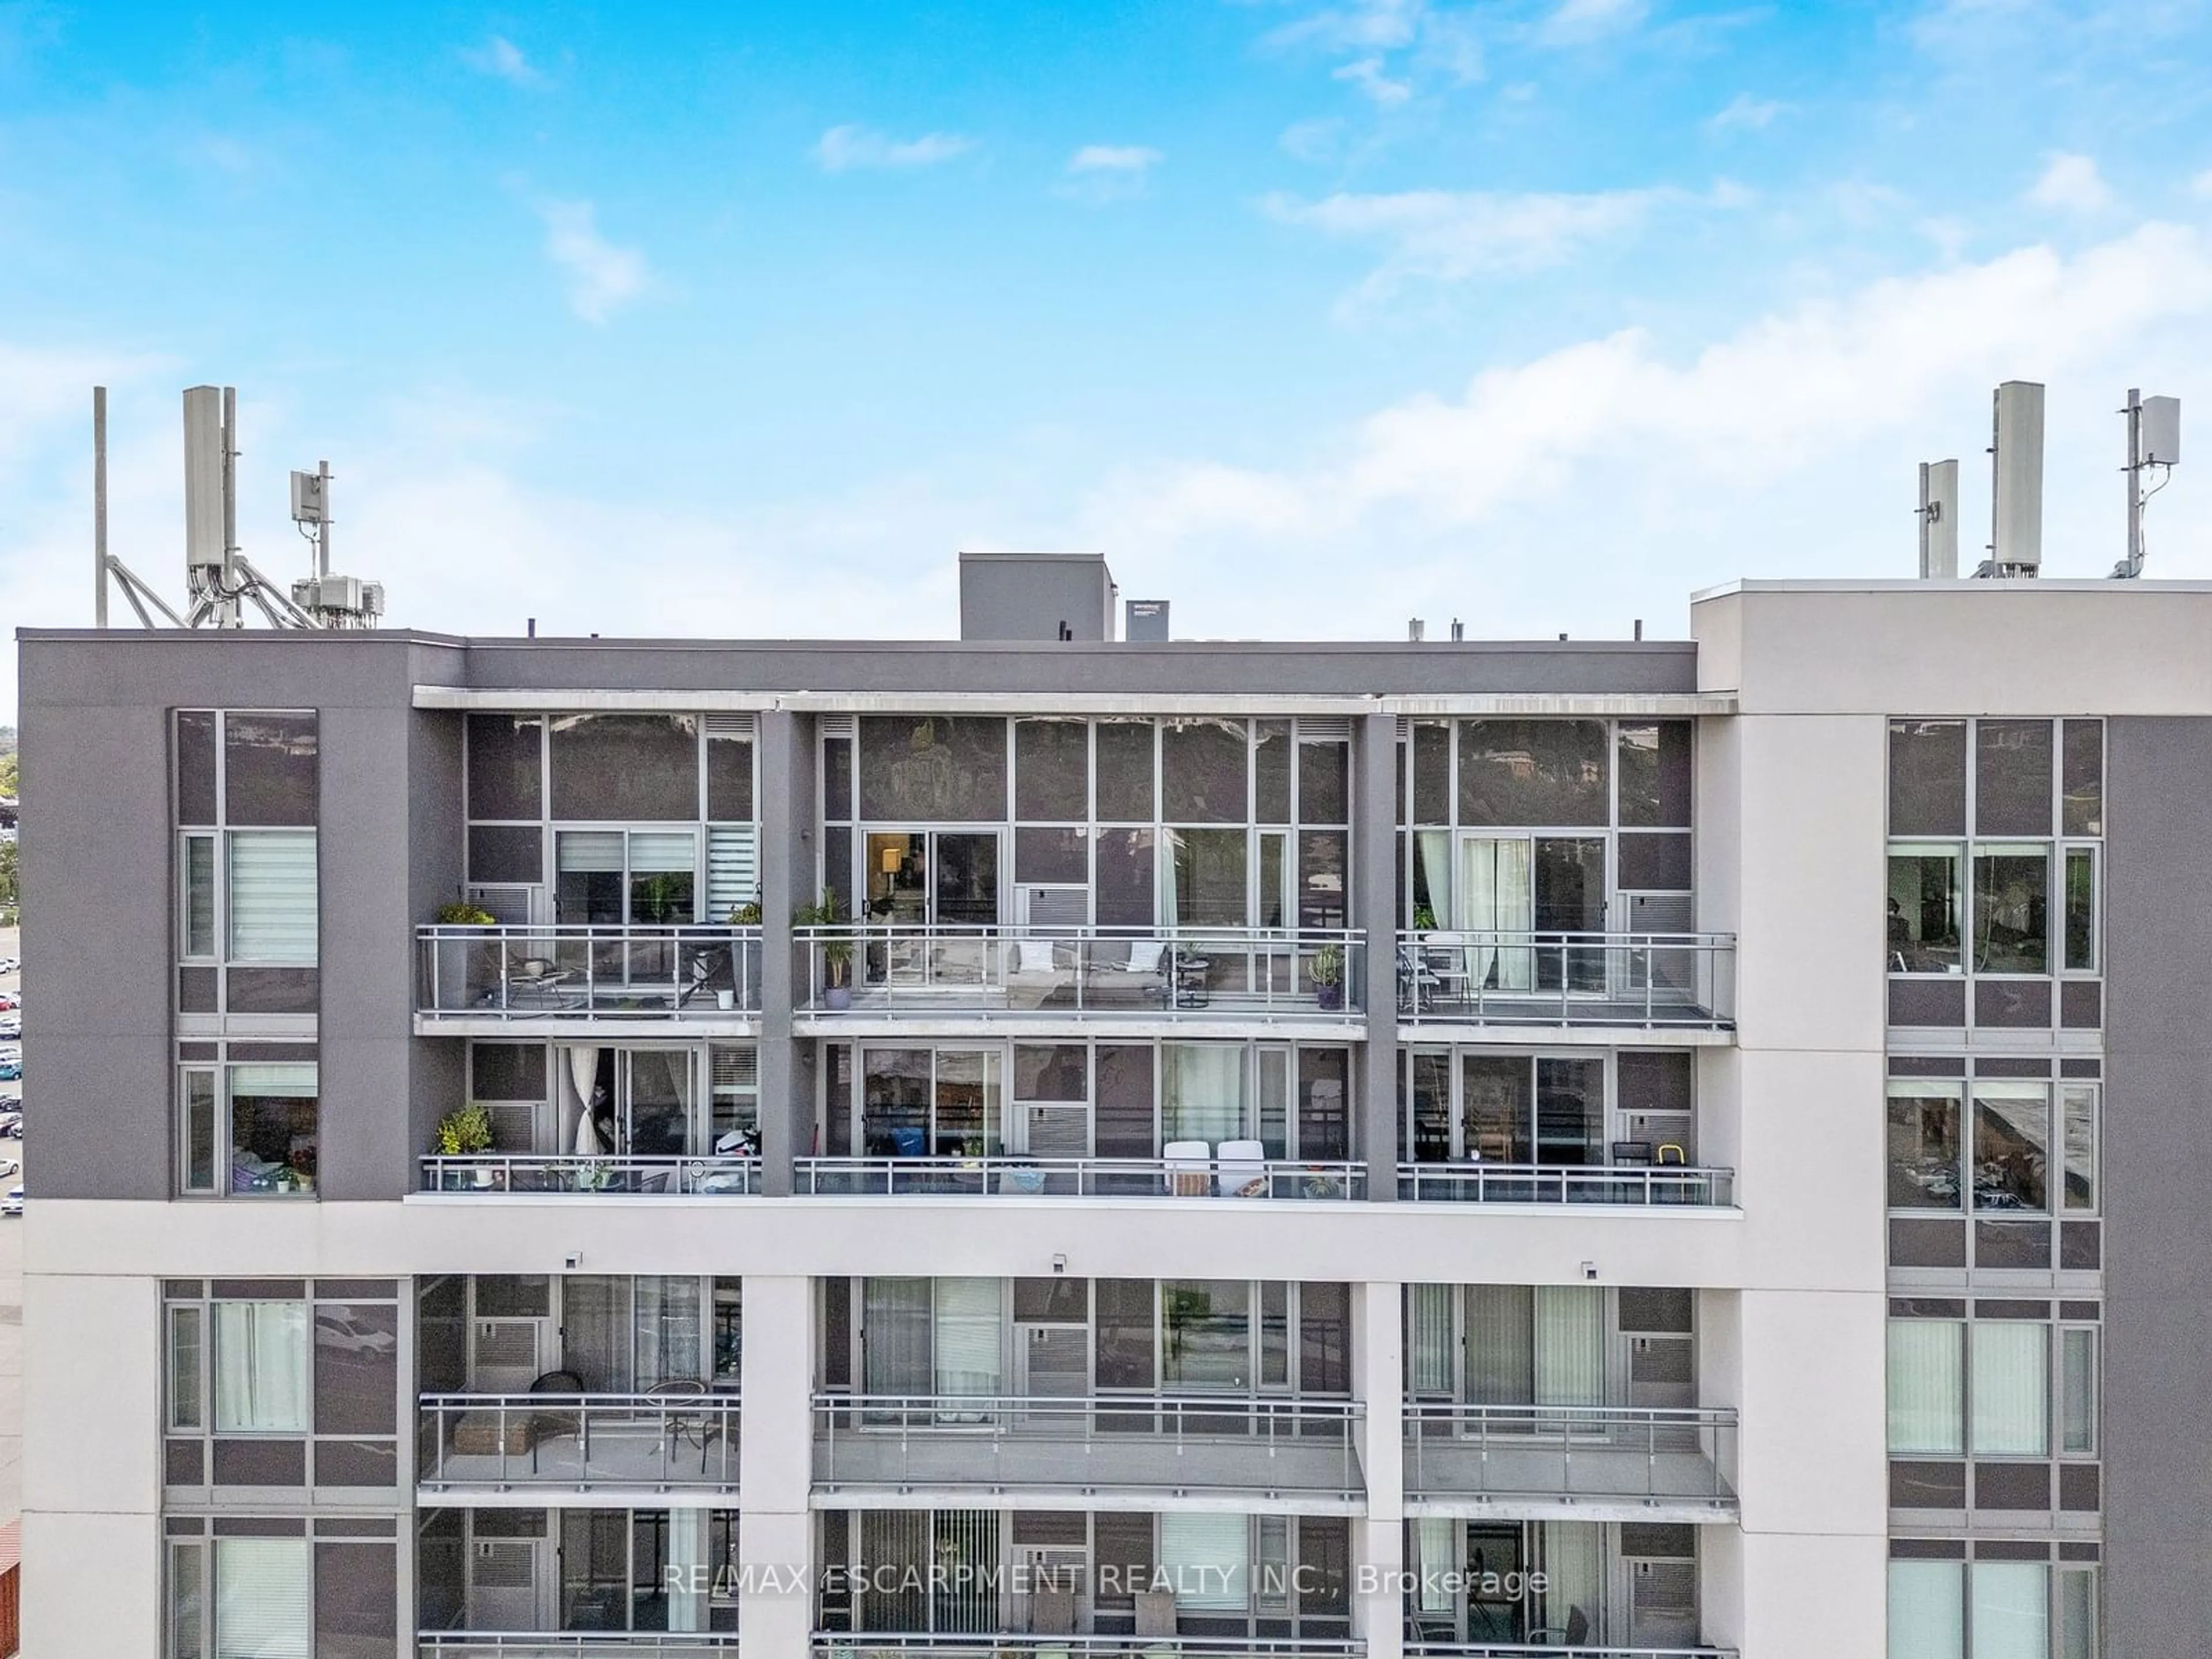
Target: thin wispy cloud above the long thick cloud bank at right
x,y
1457,236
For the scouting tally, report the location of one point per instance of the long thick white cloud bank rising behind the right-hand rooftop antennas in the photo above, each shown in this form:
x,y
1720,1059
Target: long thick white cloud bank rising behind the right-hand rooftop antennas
x,y
1753,452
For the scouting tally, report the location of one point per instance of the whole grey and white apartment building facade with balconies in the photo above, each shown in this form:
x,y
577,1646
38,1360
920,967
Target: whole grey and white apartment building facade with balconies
x,y
1041,1145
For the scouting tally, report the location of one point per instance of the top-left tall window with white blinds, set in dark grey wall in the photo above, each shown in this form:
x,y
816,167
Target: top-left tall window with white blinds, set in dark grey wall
x,y
247,789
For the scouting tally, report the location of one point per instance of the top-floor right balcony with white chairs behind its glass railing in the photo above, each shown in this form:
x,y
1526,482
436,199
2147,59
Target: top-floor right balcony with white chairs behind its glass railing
x,y
1567,981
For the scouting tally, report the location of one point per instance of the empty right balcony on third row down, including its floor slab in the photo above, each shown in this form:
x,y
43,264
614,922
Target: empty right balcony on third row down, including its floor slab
x,y
1580,1463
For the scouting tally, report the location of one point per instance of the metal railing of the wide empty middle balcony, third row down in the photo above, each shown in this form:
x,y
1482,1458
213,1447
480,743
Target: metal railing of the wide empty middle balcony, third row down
x,y
988,1426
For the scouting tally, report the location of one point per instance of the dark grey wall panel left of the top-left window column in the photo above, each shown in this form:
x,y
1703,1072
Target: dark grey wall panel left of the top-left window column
x,y
96,921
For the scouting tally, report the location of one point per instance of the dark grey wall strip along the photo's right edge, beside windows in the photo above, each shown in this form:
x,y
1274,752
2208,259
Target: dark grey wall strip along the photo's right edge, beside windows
x,y
2158,1171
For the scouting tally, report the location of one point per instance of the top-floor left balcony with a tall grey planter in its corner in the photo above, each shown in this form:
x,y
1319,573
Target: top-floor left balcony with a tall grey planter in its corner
x,y
486,979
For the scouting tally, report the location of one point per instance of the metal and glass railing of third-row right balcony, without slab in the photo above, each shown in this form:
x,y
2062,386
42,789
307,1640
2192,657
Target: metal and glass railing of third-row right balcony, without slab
x,y
1620,1450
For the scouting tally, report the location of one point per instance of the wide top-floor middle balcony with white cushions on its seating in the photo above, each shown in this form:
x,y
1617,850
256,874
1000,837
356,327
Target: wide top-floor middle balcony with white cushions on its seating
x,y
1238,977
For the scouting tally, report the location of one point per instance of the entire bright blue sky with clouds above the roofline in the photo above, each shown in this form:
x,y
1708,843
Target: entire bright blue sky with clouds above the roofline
x,y
1311,317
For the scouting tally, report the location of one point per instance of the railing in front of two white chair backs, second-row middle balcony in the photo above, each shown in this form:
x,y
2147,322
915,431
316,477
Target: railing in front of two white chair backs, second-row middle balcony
x,y
1089,1178
